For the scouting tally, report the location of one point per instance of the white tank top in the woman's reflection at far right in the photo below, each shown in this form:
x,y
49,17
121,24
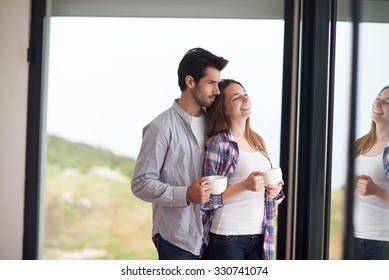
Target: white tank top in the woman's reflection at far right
x,y
371,215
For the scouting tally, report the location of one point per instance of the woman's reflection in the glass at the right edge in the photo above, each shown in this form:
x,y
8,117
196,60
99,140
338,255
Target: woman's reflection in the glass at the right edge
x,y
371,209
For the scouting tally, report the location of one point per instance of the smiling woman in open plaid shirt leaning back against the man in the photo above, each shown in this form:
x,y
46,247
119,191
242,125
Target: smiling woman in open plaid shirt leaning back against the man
x,y
243,227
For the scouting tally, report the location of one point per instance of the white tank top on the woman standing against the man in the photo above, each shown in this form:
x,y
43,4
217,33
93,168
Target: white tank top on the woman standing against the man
x,y
245,213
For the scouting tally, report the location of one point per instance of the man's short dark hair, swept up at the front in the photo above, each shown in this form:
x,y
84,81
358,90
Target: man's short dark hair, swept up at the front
x,y
194,63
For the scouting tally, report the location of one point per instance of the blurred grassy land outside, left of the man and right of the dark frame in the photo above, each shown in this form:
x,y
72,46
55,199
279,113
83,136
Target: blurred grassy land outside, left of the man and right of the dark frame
x,y
90,212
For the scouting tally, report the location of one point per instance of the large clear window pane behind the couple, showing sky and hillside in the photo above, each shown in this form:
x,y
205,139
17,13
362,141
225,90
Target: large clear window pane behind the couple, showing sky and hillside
x,y
107,78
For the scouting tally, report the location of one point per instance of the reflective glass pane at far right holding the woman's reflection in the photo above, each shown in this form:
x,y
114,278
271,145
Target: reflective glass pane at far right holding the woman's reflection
x,y
371,203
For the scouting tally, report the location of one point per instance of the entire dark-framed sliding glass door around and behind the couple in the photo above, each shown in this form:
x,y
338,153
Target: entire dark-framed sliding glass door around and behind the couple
x,y
100,70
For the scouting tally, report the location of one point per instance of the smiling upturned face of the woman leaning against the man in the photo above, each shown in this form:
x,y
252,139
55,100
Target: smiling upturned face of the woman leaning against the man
x,y
237,102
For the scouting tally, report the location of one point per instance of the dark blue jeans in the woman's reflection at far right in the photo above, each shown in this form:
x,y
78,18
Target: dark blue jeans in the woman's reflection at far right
x,y
366,249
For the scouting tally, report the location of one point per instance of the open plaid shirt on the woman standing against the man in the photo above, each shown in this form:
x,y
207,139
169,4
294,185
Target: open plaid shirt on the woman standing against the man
x,y
221,158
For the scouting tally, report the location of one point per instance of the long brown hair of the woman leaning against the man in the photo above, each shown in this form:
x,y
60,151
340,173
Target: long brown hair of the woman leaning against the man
x,y
218,121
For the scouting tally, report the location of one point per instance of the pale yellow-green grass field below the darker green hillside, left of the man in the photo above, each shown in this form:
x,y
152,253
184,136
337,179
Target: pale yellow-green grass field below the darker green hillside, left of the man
x,y
116,225
